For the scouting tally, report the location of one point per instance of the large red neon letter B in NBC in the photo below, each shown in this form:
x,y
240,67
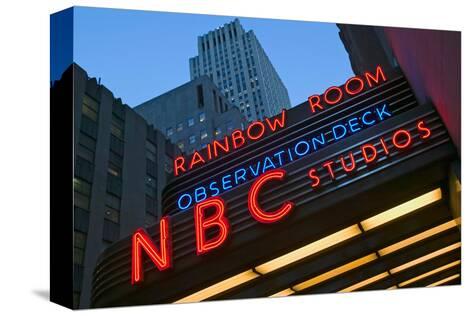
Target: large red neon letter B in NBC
x,y
203,223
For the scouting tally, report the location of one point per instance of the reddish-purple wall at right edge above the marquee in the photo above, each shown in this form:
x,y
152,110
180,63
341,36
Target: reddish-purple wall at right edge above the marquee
x,y
431,61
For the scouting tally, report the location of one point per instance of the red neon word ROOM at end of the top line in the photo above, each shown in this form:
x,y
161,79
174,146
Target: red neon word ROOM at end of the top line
x,y
352,87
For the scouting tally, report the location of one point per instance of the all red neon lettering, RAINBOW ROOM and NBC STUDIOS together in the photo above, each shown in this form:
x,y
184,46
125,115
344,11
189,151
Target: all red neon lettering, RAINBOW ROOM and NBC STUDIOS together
x,y
212,227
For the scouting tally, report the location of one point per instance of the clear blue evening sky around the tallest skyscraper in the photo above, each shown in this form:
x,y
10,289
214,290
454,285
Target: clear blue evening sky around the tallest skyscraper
x,y
141,54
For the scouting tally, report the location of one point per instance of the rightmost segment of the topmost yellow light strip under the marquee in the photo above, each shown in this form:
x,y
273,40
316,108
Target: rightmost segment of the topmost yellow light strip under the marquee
x,y
402,209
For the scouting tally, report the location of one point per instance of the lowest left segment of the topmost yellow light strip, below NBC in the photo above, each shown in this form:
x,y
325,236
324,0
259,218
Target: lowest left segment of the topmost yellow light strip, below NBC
x,y
220,287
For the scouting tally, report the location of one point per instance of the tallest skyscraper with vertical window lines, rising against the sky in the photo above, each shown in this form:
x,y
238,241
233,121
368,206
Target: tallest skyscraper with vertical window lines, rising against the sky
x,y
237,63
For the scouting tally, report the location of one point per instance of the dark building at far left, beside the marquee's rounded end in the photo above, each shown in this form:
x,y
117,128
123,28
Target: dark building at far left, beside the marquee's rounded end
x,y
120,169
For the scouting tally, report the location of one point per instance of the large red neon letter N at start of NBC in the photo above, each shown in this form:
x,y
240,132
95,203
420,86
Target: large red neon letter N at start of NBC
x,y
142,241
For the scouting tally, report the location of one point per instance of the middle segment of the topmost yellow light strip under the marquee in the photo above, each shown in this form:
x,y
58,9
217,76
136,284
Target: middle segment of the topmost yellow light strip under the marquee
x,y
309,249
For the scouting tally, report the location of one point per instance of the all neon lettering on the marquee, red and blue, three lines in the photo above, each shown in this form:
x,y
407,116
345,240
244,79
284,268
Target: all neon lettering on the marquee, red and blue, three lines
x,y
210,209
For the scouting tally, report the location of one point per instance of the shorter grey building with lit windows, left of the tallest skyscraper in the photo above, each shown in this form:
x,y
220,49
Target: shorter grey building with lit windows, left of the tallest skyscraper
x,y
192,115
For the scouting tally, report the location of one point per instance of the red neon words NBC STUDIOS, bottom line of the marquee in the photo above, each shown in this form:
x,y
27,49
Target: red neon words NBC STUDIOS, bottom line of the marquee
x,y
161,254
